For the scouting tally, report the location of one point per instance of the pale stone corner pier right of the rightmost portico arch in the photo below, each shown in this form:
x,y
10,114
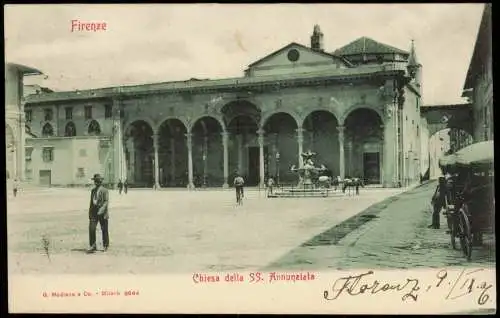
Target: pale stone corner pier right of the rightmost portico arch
x,y
390,160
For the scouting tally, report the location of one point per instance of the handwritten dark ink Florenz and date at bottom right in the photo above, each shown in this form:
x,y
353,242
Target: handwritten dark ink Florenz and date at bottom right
x,y
454,286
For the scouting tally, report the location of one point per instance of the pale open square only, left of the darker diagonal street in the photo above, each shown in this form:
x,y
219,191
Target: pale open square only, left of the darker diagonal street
x,y
170,230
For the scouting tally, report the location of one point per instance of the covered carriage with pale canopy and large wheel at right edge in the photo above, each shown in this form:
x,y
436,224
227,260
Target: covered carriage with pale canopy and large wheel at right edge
x,y
469,194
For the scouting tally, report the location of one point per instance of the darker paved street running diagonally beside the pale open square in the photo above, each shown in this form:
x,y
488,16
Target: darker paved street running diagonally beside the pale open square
x,y
396,238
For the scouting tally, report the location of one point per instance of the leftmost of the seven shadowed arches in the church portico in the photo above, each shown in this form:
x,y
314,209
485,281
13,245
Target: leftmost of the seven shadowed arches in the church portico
x,y
139,154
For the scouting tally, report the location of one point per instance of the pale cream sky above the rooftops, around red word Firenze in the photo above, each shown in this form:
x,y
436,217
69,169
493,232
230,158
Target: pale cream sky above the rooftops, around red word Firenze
x,y
150,43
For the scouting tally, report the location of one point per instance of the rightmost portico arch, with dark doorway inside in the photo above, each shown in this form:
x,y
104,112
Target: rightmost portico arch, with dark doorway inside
x,y
364,144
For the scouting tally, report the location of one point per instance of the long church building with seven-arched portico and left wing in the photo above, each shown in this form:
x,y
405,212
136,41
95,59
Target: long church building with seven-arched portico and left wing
x,y
357,107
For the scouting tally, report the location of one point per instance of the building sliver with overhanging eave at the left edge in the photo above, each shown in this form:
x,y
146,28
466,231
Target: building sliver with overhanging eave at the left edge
x,y
15,132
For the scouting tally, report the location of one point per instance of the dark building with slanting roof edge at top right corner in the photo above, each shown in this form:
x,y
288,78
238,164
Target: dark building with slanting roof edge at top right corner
x,y
478,85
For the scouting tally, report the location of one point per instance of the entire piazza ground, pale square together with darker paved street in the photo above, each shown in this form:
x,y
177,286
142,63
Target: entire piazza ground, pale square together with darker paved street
x,y
175,231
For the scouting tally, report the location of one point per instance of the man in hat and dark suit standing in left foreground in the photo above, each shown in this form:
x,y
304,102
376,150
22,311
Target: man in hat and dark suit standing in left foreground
x,y
98,213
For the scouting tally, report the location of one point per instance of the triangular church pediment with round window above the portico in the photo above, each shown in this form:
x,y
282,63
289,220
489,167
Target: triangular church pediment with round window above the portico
x,y
296,54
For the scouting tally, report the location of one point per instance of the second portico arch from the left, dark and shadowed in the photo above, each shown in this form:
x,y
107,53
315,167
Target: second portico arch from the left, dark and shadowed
x,y
172,153
